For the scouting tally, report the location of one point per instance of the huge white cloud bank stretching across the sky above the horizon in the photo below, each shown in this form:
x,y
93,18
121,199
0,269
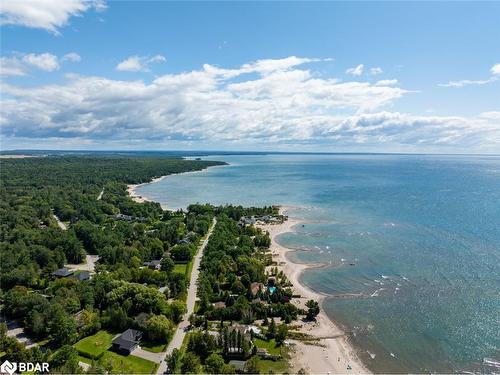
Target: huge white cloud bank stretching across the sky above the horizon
x,y
264,102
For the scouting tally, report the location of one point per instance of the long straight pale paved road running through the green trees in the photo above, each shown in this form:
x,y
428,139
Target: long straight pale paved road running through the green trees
x,y
180,332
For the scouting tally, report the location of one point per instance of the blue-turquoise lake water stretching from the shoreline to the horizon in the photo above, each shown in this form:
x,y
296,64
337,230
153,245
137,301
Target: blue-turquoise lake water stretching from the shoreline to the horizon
x,y
411,246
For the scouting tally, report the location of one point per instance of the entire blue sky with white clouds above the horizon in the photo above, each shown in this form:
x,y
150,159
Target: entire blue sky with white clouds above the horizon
x,y
330,76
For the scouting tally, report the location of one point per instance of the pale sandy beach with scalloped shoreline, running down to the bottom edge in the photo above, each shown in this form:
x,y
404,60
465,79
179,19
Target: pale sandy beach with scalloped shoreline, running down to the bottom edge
x,y
332,353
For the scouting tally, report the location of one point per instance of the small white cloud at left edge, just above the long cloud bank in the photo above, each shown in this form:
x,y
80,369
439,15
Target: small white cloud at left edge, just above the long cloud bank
x,y
19,64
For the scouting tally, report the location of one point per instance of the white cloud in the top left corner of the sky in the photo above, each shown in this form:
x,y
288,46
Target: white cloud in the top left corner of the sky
x,y
44,14
